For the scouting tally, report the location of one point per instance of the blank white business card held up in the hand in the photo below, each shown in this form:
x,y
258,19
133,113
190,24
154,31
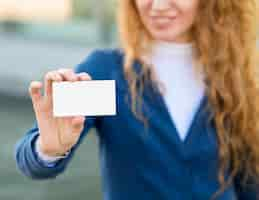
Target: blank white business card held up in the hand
x,y
87,98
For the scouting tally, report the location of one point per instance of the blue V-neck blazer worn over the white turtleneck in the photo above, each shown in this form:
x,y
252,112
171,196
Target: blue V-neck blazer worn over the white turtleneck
x,y
134,165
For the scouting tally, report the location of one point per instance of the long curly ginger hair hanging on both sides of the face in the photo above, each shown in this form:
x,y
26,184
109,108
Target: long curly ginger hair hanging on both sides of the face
x,y
224,35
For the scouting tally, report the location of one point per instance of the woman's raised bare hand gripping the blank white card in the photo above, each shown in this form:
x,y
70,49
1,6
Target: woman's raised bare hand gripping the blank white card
x,y
57,134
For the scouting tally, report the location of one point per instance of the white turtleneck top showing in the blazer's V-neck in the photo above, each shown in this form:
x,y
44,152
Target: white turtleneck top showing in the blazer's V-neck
x,y
173,63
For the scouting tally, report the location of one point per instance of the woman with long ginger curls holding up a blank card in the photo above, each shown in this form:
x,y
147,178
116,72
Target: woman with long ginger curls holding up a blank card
x,y
203,54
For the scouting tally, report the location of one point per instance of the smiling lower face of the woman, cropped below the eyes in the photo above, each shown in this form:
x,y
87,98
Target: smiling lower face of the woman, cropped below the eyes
x,y
168,20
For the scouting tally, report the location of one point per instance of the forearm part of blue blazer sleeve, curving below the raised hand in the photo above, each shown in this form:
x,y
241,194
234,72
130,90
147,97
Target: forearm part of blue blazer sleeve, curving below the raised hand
x,y
29,163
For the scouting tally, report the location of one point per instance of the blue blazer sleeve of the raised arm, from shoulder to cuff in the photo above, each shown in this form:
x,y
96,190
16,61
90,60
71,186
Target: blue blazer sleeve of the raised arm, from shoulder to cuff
x,y
25,156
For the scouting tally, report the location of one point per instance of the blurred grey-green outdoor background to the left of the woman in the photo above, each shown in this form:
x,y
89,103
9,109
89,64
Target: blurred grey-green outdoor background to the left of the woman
x,y
35,37
